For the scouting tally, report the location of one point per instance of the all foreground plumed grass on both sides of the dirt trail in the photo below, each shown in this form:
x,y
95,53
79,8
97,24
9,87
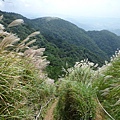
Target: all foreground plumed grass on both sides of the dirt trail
x,y
86,92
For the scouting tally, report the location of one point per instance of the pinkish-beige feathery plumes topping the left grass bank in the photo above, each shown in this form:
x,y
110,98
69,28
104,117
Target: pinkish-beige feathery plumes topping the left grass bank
x,y
34,55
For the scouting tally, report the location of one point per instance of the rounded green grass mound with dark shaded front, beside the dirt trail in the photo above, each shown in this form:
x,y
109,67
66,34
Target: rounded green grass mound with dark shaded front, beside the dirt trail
x,y
76,102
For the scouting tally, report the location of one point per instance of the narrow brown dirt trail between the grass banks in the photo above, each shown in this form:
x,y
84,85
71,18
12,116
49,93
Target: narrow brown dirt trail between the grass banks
x,y
49,114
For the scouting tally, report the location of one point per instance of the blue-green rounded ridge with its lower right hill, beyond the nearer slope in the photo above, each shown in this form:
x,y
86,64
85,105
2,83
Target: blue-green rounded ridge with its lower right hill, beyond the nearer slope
x,y
102,43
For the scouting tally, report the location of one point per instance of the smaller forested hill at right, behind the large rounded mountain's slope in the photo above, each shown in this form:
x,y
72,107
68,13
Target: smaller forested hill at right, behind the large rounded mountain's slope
x,y
106,41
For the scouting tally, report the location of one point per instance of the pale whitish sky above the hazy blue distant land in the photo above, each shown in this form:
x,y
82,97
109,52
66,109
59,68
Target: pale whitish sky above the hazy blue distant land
x,y
59,8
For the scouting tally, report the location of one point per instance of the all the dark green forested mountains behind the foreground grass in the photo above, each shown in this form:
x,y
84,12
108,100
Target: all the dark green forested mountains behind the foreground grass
x,y
65,43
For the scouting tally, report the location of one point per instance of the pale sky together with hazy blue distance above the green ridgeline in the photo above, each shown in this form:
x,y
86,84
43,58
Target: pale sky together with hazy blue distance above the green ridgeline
x,y
87,14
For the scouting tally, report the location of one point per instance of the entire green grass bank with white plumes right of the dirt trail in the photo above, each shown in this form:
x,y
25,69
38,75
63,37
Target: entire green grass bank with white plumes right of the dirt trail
x,y
90,93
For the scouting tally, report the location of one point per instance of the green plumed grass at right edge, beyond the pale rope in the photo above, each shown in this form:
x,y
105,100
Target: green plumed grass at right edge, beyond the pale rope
x,y
108,87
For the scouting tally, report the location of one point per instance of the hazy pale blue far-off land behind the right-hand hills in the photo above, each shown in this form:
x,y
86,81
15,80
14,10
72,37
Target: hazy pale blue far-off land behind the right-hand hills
x,y
98,23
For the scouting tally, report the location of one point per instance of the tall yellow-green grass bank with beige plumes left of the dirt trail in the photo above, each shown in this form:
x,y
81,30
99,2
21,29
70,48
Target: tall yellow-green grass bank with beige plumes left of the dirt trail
x,y
23,86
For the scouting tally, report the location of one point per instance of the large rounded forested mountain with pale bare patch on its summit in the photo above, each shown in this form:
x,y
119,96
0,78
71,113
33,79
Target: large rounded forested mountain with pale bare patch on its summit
x,y
56,30
